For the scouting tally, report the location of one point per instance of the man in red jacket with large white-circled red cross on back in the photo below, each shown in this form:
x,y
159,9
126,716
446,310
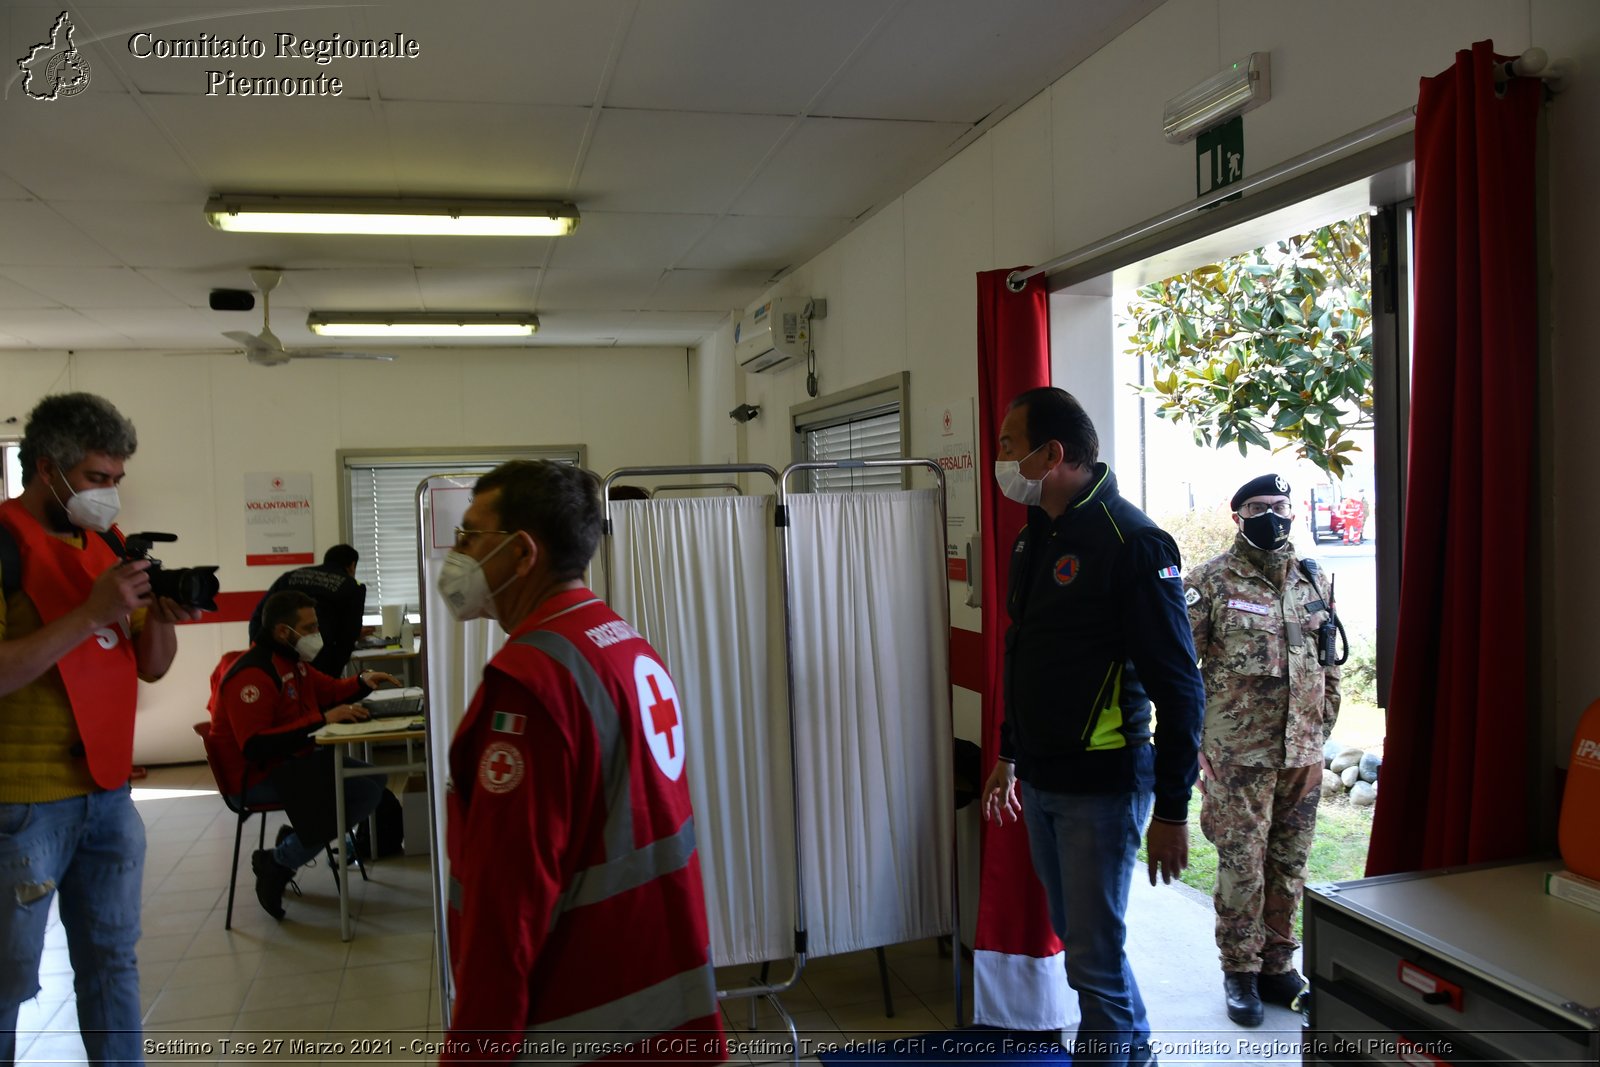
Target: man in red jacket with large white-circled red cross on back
x,y
578,916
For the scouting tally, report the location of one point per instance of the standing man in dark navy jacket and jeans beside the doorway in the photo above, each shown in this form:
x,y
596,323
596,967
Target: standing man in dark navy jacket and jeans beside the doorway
x,y
1098,633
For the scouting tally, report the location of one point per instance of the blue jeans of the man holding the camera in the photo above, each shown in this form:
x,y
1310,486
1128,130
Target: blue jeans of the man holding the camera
x,y
90,852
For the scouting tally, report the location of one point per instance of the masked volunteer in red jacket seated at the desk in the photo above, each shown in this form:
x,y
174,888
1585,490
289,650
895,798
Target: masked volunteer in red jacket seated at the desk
x,y
271,701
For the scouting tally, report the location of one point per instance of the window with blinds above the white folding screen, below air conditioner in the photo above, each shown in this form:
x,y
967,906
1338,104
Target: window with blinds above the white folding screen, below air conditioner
x,y
863,423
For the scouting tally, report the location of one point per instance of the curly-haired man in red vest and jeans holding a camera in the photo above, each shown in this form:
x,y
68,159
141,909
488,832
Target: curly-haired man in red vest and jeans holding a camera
x,y
79,629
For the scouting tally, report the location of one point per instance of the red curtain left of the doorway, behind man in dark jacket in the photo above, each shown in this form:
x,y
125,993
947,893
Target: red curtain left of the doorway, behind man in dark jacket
x,y
1014,354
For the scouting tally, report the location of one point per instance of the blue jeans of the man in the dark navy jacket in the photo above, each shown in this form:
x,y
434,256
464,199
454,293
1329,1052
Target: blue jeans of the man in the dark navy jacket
x,y
1084,847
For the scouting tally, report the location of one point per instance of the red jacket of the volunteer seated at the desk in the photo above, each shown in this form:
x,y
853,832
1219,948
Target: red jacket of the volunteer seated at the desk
x,y
270,693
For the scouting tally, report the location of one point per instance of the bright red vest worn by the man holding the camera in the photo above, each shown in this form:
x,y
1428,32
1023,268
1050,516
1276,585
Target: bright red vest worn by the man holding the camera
x,y
102,674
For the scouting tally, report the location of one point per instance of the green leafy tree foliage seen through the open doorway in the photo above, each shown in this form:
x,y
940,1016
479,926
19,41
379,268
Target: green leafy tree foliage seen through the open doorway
x,y
1270,350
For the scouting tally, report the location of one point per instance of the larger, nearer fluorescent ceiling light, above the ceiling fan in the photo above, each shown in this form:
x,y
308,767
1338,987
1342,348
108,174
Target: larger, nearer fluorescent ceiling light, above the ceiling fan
x,y
361,215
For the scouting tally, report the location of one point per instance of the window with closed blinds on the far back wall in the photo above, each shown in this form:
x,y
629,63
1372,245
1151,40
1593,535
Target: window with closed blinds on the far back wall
x,y
382,518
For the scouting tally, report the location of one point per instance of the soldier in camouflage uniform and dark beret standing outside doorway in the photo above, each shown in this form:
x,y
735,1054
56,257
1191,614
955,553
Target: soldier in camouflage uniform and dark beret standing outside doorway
x,y
1270,711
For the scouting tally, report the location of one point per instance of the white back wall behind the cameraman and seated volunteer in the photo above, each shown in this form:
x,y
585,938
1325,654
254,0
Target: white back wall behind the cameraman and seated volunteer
x,y
206,422
